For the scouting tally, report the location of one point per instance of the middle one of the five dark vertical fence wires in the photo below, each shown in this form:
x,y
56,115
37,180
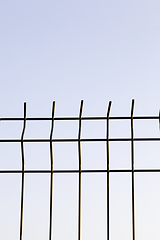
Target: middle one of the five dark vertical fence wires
x,y
79,156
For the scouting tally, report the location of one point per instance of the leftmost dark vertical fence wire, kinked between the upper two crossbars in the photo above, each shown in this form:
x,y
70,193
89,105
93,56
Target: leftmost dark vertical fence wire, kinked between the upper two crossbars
x,y
22,187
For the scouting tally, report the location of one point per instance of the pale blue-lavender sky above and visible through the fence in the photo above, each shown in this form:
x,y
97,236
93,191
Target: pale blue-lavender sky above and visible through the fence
x,y
66,51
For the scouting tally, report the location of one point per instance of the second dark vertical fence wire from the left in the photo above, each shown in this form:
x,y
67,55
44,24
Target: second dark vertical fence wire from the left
x,y
51,177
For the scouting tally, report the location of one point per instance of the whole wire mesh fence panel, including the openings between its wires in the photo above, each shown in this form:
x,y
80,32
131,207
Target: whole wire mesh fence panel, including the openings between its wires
x,y
80,177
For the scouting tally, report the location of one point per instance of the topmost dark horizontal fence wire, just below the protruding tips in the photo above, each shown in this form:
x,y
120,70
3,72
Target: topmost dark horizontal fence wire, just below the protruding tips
x,y
77,118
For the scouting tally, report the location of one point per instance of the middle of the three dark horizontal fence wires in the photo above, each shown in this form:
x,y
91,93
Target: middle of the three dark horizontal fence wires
x,y
81,140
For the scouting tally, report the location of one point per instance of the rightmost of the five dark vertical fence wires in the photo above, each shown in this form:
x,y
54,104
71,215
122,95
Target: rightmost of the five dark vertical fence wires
x,y
132,161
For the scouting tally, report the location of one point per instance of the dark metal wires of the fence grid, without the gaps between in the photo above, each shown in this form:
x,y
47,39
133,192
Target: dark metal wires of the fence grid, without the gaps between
x,y
80,171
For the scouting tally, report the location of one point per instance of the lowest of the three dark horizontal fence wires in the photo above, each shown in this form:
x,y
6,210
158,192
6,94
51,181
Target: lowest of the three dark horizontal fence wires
x,y
82,171
